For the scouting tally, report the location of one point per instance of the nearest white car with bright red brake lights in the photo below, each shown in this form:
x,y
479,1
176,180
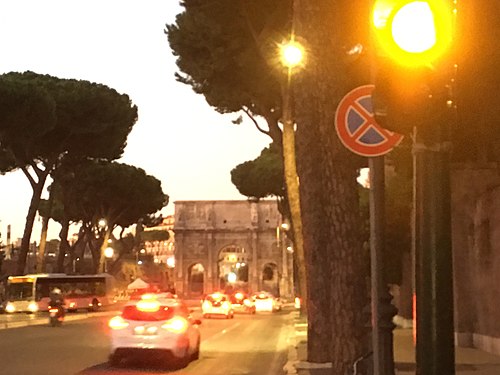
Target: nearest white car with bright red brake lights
x,y
157,326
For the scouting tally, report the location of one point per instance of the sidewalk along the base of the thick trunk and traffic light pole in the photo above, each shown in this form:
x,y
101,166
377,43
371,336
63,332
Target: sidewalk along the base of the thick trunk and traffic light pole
x,y
468,361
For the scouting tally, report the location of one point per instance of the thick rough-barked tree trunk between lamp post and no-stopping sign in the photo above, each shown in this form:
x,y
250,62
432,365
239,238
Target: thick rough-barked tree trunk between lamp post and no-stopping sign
x,y
330,203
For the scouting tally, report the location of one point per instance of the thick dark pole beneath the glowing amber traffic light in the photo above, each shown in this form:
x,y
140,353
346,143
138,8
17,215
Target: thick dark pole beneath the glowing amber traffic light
x,y
435,353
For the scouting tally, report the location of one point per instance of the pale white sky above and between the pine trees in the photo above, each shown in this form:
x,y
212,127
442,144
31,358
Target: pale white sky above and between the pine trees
x,y
178,138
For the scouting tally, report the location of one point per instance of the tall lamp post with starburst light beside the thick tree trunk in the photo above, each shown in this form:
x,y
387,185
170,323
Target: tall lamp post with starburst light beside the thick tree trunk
x,y
292,57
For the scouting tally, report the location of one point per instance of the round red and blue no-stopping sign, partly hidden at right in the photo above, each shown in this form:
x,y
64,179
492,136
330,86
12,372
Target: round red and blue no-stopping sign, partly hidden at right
x,y
356,126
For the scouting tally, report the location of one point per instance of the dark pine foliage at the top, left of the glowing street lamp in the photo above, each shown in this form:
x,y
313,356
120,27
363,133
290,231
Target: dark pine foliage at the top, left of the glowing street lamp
x,y
227,51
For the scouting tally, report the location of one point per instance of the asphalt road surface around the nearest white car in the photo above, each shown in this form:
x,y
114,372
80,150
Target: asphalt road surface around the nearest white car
x,y
248,344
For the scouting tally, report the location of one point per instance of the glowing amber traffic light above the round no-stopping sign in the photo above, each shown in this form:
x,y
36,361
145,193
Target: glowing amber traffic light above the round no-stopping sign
x,y
412,40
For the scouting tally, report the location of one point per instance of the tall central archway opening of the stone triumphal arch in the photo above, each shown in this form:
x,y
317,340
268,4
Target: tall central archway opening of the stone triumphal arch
x,y
233,260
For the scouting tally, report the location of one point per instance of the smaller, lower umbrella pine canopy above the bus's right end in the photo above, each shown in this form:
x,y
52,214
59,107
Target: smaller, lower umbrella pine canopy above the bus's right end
x,y
93,190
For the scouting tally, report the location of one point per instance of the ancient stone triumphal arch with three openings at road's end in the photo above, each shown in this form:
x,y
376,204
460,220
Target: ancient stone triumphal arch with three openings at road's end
x,y
229,245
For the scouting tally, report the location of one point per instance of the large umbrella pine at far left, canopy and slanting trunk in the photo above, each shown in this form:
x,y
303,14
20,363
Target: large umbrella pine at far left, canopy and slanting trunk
x,y
44,118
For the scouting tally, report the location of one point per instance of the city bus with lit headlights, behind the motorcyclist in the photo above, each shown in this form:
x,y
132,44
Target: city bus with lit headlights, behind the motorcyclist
x,y
31,293
